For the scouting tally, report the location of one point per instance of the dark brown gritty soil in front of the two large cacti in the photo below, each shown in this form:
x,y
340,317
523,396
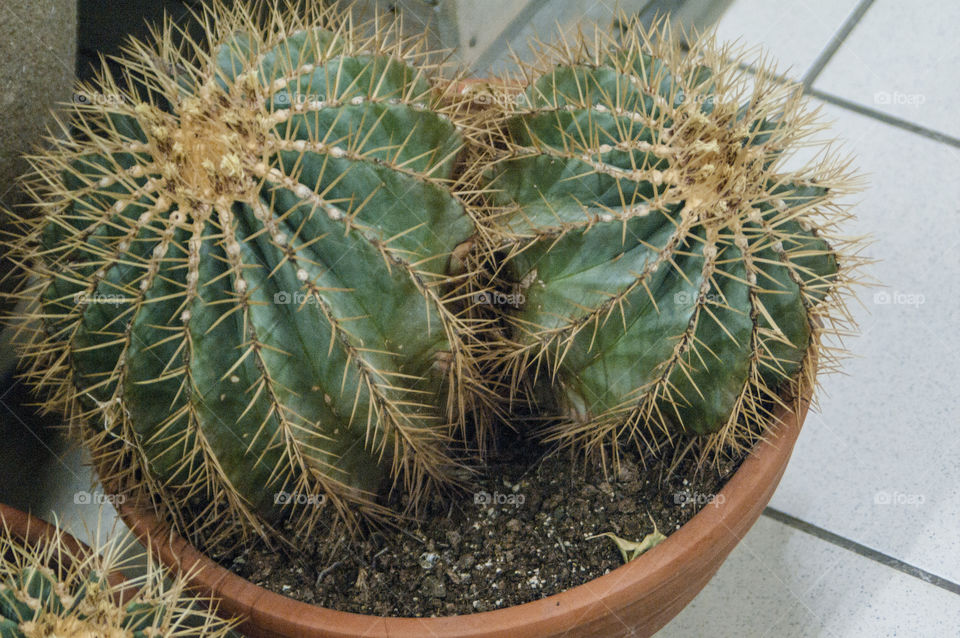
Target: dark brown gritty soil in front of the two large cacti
x,y
519,537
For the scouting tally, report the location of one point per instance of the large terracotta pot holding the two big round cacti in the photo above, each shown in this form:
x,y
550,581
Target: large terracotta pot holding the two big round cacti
x,y
635,599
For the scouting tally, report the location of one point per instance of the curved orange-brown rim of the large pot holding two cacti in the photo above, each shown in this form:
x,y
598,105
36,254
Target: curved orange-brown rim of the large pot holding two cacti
x,y
753,482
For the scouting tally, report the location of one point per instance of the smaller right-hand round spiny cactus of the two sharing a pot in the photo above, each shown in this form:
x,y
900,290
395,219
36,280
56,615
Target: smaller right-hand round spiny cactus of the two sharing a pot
x,y
662,271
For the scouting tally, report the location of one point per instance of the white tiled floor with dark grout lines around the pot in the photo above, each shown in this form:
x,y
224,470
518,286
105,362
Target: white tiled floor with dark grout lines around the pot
x,y
863,536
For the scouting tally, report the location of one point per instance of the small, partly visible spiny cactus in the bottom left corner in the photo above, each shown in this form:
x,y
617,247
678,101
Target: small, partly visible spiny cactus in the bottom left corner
x,y
54,587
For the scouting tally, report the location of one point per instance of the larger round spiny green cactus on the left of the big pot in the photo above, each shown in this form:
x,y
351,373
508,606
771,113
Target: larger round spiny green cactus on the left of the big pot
x,y
247,276
